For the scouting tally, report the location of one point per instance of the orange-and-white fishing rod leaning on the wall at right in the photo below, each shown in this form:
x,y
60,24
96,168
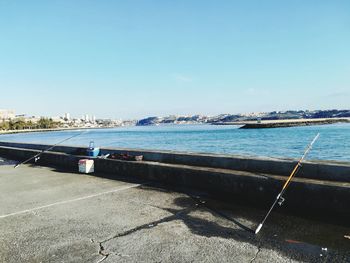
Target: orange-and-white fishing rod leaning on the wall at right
x,y
279,198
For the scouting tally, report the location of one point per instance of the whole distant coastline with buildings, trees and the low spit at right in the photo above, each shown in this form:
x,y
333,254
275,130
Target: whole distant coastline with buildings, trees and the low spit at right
x,y
254,120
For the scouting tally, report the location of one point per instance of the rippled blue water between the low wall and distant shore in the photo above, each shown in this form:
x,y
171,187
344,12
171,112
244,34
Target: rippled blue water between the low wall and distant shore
x,y
333,144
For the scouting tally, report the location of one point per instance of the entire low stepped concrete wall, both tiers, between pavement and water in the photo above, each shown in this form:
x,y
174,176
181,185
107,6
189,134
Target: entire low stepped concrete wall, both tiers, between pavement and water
x,y
320,187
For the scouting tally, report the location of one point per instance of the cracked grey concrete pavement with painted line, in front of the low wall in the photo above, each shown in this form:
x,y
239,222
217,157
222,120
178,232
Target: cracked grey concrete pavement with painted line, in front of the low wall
x,y
49,215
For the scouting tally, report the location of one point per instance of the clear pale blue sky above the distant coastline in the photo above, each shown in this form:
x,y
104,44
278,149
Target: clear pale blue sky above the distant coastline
x,y
132,59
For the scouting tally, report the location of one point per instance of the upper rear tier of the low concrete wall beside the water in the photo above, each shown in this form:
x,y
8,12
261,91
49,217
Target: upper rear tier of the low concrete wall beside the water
x,y
321,170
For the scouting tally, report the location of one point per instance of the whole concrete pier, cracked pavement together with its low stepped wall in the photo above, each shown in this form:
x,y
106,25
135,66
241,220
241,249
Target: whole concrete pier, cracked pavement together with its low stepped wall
x,y
171,207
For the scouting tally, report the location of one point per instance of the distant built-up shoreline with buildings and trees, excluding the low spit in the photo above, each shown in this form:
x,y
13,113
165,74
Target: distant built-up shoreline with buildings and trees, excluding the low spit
x,y
9,119
